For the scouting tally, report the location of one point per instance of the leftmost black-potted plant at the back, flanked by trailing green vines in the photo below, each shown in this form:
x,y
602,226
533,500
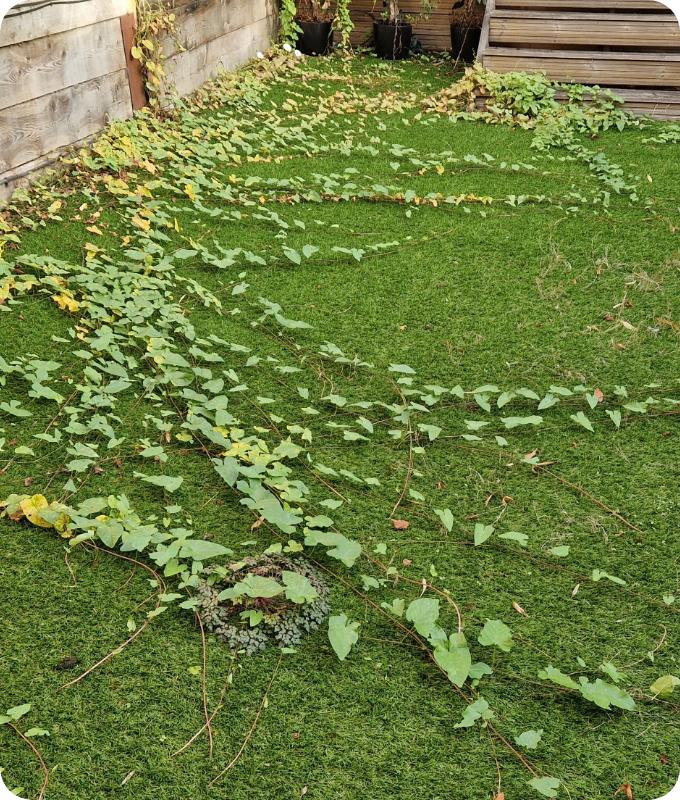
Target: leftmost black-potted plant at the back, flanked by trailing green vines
x,y
309,24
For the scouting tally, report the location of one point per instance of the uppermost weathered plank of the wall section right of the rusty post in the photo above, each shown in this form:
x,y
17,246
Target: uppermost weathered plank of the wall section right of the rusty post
x,y
201,22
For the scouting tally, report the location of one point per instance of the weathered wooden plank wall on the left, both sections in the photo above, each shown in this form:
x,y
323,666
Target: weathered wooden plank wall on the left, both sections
x,y
66,70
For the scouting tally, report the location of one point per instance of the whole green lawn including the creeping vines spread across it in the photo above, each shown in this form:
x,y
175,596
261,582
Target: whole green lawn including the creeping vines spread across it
x,y
426,268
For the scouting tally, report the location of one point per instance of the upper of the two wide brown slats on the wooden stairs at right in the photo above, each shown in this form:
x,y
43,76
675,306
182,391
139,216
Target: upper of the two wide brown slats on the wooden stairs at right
x,y
648,31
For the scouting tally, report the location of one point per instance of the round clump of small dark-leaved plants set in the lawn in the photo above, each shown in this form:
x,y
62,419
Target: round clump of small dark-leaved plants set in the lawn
x,y
261,601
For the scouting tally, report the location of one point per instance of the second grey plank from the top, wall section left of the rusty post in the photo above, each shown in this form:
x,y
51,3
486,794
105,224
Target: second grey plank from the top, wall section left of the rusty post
x,y
42,66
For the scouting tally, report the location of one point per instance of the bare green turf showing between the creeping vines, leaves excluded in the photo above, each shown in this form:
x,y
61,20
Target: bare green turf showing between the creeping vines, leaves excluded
x,y
517,297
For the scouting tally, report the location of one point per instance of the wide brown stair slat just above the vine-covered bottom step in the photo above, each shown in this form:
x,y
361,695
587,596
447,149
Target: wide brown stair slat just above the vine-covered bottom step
x,y
602,68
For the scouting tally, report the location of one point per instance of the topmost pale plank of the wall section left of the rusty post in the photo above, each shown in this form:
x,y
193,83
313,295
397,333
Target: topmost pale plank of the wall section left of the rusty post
x,y
22,27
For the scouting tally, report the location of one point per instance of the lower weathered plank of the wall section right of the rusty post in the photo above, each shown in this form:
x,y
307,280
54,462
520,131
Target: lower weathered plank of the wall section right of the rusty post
x,y
192,68
